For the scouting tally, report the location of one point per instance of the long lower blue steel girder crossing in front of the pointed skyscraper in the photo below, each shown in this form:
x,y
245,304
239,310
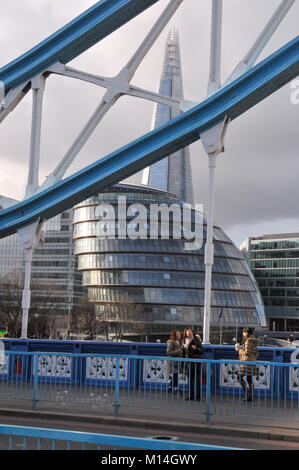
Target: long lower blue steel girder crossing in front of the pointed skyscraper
x,y
228,103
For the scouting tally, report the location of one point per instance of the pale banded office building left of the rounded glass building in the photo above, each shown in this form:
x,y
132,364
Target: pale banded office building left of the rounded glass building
x,y
54,266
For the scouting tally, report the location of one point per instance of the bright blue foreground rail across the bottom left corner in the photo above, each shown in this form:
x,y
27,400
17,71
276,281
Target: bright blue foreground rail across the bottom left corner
x,y
46,439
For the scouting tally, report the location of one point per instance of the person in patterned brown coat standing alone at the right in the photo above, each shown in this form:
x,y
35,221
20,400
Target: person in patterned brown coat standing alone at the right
x,y
248,352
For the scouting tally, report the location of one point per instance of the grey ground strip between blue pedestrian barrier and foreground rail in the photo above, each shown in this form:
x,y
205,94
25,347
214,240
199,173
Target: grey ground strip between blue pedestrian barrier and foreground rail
x,y
189,419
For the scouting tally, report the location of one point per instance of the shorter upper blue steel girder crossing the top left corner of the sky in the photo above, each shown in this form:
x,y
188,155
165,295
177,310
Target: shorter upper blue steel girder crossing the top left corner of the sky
x,y
93,25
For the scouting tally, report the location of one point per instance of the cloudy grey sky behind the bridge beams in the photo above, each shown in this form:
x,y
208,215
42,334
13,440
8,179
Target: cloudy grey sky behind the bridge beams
x,y
257,176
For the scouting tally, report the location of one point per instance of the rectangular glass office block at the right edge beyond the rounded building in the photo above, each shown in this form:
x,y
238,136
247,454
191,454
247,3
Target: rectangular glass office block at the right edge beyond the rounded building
x,y
274,261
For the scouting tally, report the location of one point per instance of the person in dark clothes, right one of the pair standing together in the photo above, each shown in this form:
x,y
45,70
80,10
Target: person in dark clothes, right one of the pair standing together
x,y
192,348
